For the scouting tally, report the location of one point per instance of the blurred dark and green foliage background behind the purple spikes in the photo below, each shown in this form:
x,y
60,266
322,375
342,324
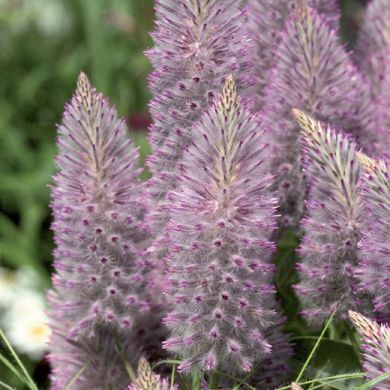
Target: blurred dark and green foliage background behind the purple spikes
x,y
43,46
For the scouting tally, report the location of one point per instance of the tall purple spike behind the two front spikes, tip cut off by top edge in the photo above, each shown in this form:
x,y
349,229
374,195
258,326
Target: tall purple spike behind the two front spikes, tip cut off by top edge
x,y
197,44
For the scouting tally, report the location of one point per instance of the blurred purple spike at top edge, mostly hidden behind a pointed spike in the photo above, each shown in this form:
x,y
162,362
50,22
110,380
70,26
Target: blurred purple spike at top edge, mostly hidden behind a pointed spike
x,y
266,19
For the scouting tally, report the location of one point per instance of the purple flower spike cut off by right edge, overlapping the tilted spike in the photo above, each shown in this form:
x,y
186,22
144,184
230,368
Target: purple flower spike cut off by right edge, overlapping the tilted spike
x,y
374,267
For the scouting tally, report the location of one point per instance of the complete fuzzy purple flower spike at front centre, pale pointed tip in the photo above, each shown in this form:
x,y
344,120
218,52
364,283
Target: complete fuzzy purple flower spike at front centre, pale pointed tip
x,y
221,218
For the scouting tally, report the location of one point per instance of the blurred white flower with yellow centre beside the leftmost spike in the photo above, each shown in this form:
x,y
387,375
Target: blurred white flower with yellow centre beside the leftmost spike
x,y
25,323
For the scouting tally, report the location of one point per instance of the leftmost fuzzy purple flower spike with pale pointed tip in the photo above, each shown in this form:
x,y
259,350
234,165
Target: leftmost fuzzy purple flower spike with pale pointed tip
x,y
101,280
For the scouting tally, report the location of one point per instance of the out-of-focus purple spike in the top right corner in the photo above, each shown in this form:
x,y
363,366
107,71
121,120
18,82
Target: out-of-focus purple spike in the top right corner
x,y
372,56
